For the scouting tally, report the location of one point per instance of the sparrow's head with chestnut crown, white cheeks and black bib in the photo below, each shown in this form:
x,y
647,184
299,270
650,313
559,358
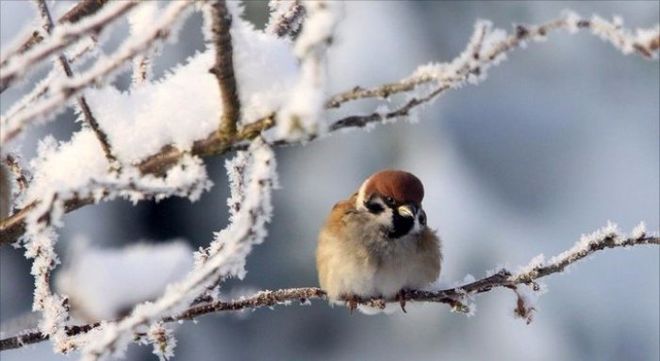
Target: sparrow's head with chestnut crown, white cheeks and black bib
x,y
393,199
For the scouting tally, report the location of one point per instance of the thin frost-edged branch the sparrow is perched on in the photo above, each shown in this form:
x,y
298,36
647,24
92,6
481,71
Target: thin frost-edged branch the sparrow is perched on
x,y
605,238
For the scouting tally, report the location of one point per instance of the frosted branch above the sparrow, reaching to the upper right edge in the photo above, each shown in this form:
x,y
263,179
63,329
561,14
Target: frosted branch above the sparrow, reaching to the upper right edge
x,y
488,47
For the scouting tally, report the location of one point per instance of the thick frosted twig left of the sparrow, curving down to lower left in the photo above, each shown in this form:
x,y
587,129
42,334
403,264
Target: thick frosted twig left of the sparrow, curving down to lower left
x,y
226,259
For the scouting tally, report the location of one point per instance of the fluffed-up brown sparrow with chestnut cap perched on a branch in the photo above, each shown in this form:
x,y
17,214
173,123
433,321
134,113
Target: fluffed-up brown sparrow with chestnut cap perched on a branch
x,y
376,243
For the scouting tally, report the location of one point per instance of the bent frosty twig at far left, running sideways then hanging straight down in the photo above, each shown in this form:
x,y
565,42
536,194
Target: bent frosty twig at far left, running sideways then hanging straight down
x,y
190,179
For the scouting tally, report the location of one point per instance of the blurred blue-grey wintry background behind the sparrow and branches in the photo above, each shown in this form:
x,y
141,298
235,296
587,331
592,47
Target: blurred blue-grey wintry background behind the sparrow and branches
x,y
562,137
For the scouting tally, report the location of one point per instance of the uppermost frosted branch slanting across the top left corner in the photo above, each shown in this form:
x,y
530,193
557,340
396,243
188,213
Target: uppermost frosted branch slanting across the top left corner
x,y
64,36
